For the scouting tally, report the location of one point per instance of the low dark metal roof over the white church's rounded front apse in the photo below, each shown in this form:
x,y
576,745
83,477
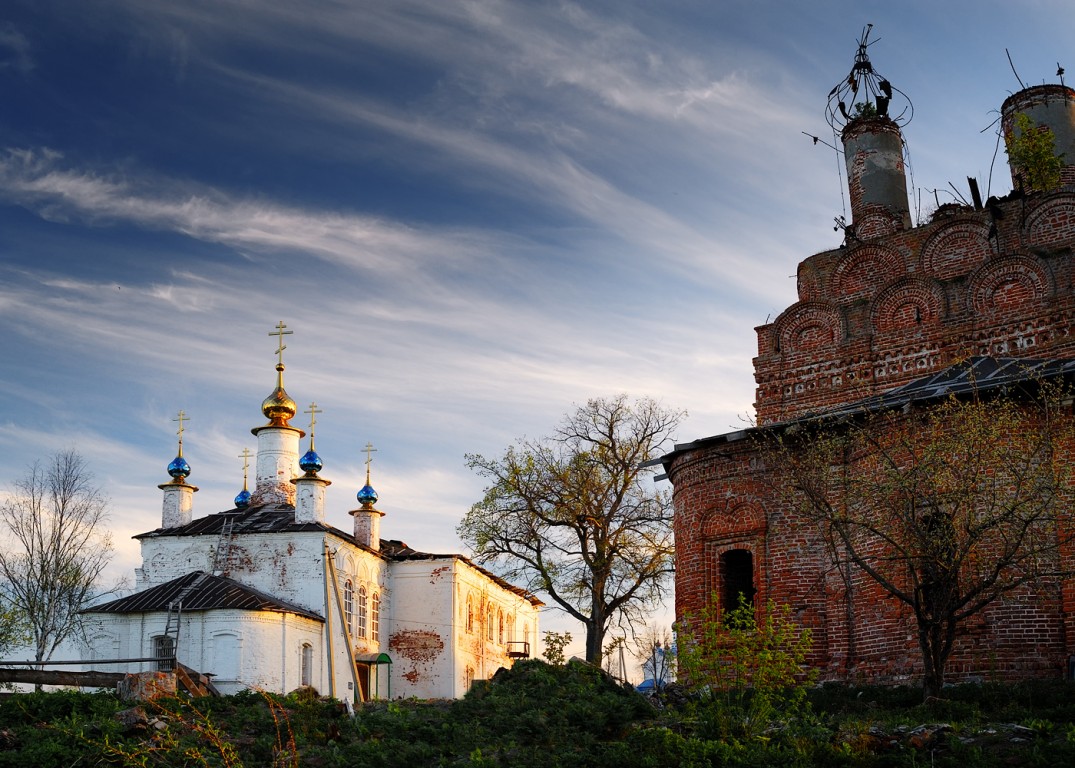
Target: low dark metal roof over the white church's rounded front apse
x,y
202,592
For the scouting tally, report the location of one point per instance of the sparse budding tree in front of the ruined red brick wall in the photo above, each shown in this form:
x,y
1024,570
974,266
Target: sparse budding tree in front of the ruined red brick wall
x,y
948,507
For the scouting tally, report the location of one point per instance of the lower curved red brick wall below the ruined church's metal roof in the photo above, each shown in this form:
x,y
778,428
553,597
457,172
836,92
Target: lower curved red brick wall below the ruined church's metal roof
x,y
726,500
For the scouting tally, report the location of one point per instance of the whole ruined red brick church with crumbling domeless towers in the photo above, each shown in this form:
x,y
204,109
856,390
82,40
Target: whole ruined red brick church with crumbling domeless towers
x,y
893,310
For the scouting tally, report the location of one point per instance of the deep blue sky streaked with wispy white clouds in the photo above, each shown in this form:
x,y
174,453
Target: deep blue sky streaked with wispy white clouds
x,y
474,215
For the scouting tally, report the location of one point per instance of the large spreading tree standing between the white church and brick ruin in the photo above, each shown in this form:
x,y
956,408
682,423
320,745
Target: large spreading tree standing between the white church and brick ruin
x,y
577,517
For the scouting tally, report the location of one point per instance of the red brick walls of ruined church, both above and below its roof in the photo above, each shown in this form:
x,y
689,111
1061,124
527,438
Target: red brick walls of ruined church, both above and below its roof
x,y
871,317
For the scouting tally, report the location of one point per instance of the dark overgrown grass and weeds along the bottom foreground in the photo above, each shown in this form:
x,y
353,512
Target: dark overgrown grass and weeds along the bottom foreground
x,y
539,716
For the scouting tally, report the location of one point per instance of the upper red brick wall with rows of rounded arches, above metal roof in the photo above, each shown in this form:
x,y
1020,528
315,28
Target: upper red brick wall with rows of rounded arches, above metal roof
x,y
882,314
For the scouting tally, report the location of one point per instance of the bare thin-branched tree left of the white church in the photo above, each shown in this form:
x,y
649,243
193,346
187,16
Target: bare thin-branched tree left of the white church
x,y
56,548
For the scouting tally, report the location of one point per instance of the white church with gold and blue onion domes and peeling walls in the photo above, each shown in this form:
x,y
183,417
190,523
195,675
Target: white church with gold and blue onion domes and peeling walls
x,y
269,596
